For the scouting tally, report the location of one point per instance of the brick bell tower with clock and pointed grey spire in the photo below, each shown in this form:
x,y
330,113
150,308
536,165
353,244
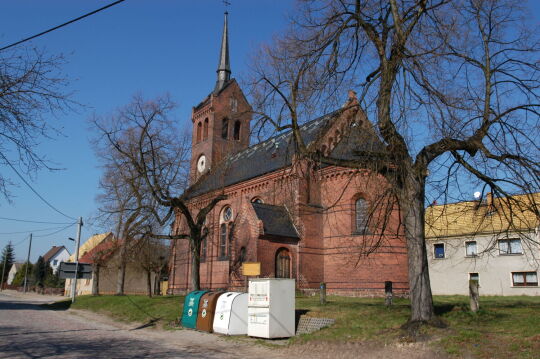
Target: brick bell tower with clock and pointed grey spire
x,y
221,122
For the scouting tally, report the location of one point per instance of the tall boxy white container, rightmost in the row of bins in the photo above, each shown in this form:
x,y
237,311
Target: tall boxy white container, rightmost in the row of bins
x,y
271,308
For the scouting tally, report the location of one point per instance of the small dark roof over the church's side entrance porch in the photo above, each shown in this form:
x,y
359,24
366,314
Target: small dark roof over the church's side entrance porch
x,y
276,220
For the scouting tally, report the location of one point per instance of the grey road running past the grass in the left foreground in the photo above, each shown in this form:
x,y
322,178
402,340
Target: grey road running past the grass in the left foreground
x,y
28,331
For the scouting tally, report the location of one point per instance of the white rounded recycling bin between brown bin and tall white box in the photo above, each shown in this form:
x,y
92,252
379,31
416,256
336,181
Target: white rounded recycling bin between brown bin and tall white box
x,y
231,314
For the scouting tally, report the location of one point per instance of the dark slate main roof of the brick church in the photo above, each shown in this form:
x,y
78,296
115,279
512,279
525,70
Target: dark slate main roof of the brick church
x,y
277,153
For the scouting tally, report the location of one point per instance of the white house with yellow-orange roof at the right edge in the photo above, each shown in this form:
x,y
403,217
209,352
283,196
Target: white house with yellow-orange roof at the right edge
x,y
495,241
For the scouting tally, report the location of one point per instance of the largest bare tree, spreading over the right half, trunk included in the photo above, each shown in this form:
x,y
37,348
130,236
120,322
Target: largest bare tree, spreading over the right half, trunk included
x,y
450,86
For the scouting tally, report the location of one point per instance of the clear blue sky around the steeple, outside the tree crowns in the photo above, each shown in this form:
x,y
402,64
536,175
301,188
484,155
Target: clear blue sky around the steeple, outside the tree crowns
x,y
151,47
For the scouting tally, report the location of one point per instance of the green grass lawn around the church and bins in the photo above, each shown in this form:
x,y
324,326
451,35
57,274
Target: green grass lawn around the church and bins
x,y
505,327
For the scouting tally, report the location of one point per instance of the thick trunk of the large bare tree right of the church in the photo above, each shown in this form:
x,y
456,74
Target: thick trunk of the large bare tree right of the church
x,y
412,204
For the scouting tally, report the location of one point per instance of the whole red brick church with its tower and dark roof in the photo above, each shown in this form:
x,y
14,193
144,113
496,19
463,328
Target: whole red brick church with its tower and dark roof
x,y
298,219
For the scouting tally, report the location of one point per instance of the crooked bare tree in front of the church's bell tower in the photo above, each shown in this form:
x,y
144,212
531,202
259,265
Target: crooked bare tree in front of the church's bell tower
x,y
154,157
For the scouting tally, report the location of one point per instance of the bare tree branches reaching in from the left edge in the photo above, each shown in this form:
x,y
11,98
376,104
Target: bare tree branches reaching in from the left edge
x,y
31,88
